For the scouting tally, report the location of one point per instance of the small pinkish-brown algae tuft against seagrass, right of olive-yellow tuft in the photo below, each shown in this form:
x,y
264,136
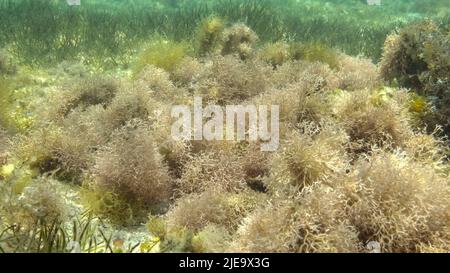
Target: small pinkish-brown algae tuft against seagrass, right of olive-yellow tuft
x,y
239,39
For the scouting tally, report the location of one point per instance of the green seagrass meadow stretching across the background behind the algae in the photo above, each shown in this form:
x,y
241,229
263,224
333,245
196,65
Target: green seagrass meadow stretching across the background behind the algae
x,y
108,32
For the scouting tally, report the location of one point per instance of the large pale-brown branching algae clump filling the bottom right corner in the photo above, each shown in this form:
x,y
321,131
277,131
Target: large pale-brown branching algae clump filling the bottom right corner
x,y
389,183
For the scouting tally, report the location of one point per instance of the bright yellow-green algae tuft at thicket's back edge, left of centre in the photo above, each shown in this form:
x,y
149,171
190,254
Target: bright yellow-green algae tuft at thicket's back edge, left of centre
x,y
161,53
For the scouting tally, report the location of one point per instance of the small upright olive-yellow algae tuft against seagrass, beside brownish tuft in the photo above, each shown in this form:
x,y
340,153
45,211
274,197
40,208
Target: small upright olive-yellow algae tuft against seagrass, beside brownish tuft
x,y
209,35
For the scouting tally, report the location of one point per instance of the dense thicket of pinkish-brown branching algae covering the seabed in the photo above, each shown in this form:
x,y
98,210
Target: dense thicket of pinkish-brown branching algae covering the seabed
x,y
88,163
